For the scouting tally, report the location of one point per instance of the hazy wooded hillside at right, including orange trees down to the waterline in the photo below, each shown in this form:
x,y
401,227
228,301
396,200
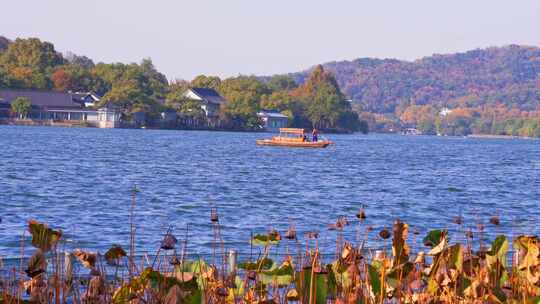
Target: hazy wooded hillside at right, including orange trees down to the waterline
x,y
493,90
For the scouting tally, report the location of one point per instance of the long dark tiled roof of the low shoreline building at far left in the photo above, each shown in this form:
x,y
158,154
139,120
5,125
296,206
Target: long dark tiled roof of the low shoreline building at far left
x,y
42,99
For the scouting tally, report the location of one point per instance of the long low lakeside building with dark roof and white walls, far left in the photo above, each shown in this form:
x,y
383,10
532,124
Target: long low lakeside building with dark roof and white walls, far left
x,y
49,107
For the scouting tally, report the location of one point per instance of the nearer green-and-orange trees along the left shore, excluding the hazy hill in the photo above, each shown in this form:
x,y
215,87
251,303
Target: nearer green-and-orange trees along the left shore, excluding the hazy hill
x,y
32,64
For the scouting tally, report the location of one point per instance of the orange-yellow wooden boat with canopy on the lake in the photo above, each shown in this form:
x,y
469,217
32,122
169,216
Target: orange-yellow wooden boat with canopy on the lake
x,y
291,137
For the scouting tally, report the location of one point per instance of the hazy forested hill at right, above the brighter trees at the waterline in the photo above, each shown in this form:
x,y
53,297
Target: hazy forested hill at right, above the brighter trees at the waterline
x,y
508,75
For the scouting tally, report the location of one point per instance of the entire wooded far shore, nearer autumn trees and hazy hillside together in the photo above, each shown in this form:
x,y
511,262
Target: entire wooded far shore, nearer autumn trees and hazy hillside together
x,y
311,99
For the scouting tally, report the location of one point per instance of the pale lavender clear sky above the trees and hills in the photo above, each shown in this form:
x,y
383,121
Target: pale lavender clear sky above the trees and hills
x,y
185,38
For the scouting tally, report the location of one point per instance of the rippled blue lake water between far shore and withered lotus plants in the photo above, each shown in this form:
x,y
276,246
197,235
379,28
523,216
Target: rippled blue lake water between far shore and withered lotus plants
x,y
79,180
